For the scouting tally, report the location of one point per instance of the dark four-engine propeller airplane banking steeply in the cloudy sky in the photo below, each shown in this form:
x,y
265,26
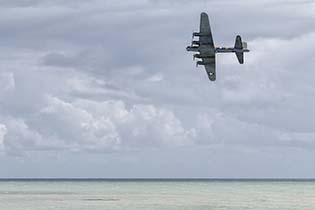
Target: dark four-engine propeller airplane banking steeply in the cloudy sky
x,y
207,50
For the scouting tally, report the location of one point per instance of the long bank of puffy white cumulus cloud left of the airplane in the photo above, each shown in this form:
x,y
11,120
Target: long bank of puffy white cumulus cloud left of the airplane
x,y
95,126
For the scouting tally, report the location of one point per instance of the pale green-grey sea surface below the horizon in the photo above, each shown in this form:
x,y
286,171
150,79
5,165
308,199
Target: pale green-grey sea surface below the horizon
x,y
157,194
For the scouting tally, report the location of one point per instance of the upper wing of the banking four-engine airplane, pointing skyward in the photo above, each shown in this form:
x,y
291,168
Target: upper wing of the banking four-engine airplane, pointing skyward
x,y
205,30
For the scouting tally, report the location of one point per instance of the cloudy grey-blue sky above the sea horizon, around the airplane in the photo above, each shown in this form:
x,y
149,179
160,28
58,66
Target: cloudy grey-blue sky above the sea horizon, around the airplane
x,y
106,89
